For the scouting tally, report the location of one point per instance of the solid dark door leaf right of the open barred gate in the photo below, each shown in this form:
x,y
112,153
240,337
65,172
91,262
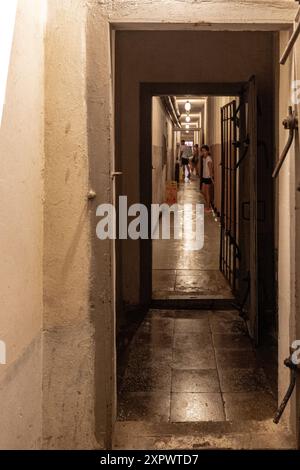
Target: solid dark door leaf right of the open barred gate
x,y
247,203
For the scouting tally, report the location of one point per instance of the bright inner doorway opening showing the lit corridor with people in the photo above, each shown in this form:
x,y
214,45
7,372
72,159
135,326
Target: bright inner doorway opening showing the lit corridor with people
x,y
179,272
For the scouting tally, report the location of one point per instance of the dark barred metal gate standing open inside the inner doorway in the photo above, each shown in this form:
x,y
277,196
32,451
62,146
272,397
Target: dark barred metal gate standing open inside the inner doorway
x,y
229,251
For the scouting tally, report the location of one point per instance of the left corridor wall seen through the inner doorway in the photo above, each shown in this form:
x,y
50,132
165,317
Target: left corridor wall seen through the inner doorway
x,y
162,134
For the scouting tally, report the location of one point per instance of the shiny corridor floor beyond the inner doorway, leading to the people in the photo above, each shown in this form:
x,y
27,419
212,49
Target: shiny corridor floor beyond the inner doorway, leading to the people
x,y
179,272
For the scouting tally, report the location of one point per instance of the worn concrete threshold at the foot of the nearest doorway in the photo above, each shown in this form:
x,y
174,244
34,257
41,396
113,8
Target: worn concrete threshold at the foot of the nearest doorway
x,y
236,435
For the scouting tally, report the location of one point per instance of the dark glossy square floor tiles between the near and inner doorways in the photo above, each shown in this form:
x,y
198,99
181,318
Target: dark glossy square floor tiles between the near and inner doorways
x,y
193,366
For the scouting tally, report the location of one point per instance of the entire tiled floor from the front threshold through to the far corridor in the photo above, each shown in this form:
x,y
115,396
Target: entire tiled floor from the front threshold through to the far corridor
x,y
191,379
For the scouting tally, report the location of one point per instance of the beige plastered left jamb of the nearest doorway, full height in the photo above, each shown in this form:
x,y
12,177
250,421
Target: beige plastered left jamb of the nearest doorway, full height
x,y
104,289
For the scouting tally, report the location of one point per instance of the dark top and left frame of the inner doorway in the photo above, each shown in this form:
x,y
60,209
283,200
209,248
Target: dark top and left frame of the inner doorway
x,y
147,92
